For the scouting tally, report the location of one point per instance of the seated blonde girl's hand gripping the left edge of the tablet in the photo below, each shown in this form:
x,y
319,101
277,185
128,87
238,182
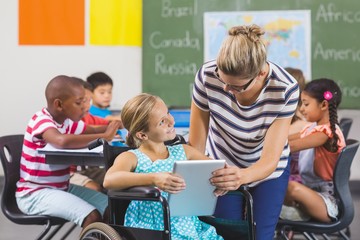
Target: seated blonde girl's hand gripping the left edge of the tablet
x,y
169,182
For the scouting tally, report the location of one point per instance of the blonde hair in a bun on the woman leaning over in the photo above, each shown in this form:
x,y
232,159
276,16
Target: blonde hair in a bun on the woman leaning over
x,y
242,53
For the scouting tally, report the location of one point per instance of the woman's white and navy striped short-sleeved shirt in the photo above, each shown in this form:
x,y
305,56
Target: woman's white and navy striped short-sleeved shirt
x,y
237,132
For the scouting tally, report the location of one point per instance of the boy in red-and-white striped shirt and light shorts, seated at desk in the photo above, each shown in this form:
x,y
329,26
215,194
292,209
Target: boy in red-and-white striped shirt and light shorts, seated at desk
x,y
44,189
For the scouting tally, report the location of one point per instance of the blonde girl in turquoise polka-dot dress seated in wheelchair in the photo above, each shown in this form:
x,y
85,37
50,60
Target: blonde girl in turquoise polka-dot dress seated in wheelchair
x,y
149,125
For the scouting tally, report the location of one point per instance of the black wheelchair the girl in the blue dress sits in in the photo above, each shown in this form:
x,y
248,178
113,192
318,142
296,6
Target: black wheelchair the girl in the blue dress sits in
x,y
120,199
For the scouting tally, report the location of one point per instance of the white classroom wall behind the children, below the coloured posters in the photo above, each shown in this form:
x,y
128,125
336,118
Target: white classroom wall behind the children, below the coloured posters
x,y
25,71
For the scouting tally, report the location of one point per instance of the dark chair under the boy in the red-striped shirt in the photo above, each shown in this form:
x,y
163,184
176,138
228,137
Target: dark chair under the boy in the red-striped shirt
x,y
10,154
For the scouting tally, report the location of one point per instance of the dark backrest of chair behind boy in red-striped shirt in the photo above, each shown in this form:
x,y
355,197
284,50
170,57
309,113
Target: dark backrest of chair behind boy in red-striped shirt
x,y
10,154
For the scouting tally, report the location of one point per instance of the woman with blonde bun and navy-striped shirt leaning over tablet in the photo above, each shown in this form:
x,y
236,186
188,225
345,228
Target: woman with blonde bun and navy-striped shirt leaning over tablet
x,y
241,111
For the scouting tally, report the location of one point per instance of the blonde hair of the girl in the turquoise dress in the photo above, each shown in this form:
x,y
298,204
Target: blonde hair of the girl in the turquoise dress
x,y
135,116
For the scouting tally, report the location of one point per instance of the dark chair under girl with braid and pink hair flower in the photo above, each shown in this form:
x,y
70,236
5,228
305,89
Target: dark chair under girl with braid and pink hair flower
x,y
346,208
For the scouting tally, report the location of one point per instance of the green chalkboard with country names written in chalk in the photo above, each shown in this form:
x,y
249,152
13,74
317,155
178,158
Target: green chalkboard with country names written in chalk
x,y
173,43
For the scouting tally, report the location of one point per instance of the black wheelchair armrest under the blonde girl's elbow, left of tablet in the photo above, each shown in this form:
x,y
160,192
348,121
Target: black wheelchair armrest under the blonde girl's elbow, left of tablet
x,y
136,193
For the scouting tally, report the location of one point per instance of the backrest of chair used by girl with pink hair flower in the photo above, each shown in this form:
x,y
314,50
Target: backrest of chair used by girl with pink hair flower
x,y
341,182
